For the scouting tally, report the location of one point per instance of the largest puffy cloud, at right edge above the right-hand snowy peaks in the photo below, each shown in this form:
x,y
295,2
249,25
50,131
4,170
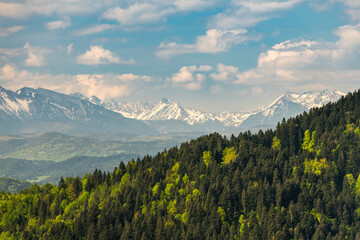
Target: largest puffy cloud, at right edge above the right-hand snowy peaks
x,y
308,62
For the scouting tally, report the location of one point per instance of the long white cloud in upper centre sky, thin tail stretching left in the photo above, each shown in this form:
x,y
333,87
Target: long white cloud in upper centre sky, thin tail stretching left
x,y
214,41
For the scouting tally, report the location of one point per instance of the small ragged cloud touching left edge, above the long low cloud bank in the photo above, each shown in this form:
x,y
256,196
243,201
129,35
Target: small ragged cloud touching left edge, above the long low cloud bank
x,y
34,56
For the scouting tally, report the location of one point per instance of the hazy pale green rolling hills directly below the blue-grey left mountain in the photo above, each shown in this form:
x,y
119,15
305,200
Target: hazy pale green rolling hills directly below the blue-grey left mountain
x,y
53,146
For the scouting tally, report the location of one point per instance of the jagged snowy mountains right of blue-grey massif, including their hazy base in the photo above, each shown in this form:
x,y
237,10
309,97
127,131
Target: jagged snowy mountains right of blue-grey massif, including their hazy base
x,y
169,116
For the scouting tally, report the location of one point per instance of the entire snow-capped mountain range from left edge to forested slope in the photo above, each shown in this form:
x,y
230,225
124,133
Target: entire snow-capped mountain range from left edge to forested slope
x,y
31,110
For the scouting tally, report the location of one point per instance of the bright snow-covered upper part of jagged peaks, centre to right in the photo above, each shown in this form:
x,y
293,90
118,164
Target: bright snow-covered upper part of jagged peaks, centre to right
x,y
287,105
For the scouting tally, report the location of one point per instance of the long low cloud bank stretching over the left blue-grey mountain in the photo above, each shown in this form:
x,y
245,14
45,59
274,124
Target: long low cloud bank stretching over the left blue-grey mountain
x,y
102,85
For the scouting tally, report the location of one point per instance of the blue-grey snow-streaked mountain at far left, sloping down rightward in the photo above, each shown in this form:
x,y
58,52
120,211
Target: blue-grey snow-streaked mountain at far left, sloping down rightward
x,y
41,110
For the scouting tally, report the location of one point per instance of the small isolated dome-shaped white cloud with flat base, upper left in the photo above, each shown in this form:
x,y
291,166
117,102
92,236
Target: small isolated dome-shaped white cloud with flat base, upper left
x,y
97,55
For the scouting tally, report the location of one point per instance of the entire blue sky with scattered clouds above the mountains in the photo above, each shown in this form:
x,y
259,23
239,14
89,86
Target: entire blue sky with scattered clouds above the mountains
x,y
212,55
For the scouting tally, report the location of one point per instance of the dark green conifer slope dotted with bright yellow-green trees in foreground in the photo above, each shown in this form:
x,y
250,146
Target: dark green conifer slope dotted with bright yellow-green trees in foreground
x,y
300,181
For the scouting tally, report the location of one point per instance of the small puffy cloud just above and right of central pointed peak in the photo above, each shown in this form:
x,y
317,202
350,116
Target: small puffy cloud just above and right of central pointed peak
x,y
188,78
